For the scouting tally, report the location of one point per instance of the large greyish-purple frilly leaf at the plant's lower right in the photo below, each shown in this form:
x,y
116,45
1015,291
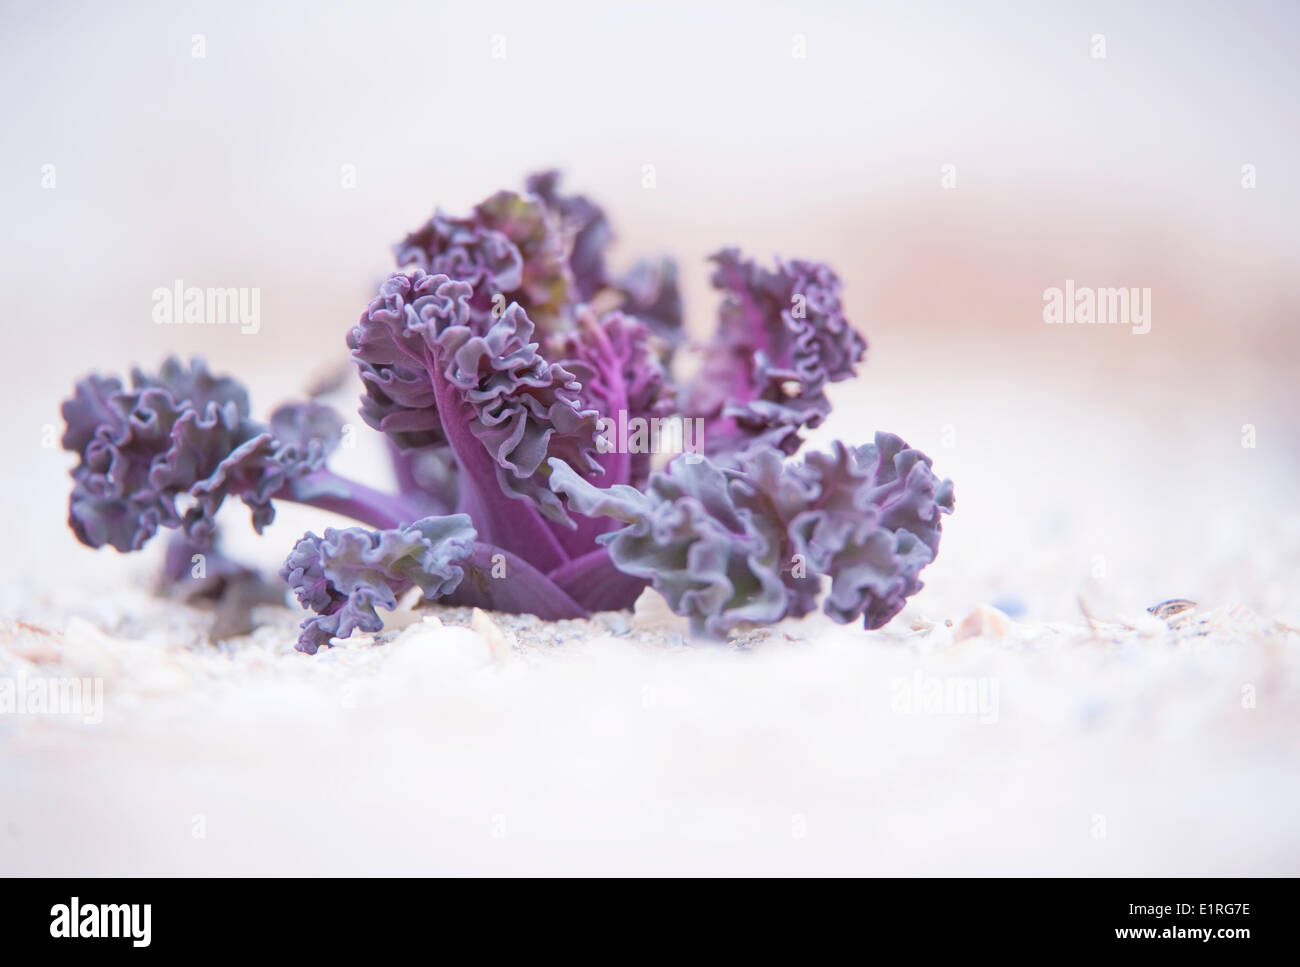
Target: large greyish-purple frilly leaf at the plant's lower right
x,y
747,543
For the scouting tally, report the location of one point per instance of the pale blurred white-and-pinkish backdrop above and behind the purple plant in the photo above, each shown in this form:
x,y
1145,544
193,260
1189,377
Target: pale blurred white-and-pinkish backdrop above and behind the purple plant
x,y
951,161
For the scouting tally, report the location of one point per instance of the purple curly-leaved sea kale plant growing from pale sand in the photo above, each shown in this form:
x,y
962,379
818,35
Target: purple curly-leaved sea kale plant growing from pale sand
x,y
547,461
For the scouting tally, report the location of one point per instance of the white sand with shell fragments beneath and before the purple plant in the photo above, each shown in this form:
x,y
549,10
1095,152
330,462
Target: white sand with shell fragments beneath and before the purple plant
x,y
609,747
